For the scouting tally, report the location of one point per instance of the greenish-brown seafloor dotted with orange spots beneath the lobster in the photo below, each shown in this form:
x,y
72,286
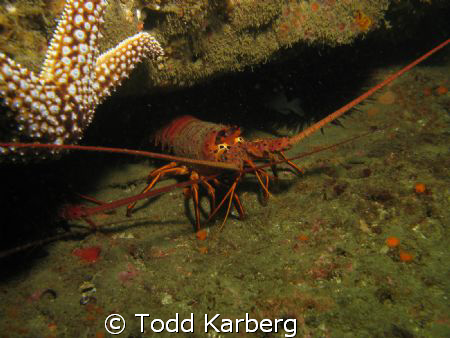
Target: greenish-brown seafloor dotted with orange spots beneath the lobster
x,y
315,253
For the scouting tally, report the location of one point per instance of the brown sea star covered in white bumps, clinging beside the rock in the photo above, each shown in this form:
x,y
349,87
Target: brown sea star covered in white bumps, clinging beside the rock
x,y
57,105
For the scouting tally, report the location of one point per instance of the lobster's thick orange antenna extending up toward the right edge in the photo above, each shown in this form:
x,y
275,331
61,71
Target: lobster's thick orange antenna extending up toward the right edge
x,y
341,111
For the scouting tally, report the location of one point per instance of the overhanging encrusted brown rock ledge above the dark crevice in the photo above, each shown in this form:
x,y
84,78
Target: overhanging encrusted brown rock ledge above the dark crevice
x,y
205,38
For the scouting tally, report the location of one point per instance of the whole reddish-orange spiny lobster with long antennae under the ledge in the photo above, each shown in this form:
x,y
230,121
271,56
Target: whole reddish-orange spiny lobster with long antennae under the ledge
x,y
205,150
